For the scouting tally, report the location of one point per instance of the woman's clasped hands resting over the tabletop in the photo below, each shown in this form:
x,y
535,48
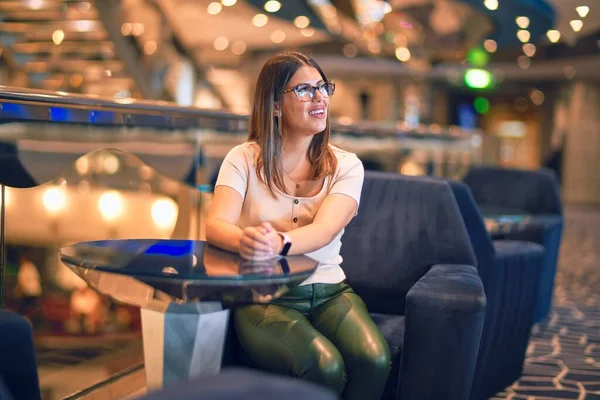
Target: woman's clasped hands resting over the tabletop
x,y
260,243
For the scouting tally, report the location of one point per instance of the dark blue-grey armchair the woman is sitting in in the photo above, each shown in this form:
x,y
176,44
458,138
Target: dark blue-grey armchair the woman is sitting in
x,y
408,255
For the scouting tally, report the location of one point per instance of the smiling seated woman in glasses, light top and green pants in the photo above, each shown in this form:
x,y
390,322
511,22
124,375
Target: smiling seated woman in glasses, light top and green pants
x,y
288,191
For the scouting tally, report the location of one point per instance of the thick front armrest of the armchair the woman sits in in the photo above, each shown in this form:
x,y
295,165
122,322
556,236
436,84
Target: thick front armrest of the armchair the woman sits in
x,y
444,313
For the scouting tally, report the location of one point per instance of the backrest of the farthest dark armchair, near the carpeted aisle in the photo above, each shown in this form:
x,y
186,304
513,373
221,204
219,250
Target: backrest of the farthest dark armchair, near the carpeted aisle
x,y
506,190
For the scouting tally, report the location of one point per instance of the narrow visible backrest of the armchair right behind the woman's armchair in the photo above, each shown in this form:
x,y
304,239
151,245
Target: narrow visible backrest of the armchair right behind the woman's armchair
x,y
483,247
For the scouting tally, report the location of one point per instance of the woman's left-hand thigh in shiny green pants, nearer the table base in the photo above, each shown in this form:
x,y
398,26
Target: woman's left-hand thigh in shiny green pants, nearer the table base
x,y
282,340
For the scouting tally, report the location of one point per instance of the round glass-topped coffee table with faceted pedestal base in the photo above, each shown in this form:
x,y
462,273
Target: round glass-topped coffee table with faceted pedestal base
x,y
185,289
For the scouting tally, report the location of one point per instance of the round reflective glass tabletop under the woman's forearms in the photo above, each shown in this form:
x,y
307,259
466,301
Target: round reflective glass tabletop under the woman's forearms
x,y
155,272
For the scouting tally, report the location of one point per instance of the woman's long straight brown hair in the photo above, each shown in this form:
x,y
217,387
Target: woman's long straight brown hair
x,y
266,128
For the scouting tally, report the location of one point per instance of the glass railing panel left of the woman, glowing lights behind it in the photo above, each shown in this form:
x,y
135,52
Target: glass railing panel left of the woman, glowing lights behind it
x,y
105,193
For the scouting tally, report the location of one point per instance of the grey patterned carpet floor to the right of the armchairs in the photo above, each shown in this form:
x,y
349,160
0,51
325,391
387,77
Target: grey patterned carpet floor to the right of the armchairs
x,y
563,358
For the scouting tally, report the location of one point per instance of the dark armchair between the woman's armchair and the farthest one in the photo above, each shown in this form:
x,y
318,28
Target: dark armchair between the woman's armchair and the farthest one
x,y
510,273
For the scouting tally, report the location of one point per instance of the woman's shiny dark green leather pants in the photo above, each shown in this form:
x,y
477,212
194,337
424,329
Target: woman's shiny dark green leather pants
x,y
319,332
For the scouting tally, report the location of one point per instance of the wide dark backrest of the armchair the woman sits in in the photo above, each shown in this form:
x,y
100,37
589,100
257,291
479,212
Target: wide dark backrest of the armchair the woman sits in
x,y
404,226
